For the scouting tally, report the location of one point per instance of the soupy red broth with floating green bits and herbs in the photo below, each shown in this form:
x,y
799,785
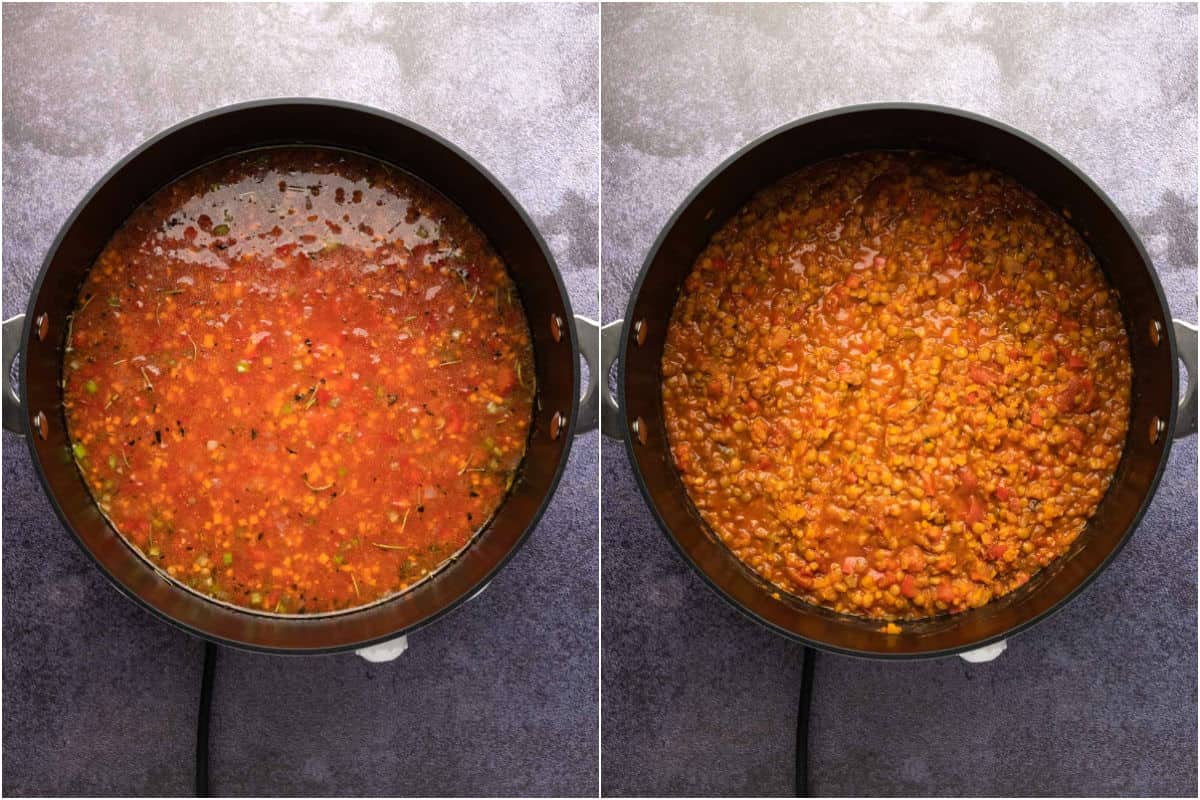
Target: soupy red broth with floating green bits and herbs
x,y
298,381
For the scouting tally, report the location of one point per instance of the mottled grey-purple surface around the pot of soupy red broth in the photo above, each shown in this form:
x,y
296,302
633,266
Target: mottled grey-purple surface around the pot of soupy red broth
x,y
497,699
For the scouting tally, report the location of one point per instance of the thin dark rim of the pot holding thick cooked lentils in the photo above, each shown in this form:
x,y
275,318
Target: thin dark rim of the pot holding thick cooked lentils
x,y
933,110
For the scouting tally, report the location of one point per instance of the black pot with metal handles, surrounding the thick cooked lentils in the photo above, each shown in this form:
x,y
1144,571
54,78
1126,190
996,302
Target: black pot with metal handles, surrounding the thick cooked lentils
x,y
1156,346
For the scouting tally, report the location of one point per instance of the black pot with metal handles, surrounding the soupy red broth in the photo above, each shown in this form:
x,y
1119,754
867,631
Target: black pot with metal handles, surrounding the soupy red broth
x,y
38,413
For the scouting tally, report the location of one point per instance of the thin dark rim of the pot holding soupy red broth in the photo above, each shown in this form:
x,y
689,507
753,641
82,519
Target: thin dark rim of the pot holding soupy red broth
x,y
313,103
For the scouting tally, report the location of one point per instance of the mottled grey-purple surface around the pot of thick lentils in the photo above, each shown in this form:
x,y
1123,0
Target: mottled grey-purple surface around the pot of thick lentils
x,y
1100,700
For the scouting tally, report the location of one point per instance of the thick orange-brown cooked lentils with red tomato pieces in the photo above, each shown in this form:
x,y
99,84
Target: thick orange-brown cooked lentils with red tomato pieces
x,y
897,386
